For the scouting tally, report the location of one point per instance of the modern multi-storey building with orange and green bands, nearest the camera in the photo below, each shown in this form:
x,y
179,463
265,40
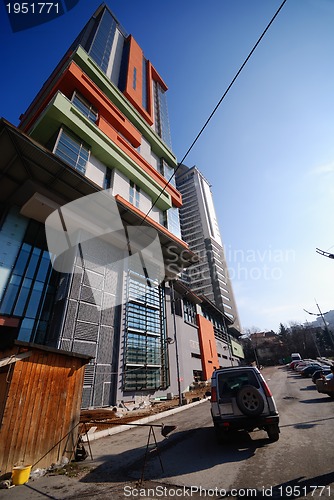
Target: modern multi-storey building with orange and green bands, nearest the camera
x,y
99,125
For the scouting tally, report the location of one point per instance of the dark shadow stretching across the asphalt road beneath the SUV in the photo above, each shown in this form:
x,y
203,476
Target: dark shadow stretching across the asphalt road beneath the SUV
x,y
184,452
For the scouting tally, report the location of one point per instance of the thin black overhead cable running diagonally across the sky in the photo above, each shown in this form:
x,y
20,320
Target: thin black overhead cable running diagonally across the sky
x,y
215,108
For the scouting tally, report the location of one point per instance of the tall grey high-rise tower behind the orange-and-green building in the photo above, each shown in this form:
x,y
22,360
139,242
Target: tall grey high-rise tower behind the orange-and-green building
x,y
200,229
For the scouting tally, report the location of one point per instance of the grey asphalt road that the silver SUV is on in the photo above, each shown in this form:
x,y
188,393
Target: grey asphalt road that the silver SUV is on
x,y
194,465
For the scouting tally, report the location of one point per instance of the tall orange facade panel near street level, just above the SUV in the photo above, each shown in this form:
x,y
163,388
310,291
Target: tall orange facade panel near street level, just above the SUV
x,y
208,347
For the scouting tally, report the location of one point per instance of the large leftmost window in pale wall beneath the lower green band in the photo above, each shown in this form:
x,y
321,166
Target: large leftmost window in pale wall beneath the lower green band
x,y
72,150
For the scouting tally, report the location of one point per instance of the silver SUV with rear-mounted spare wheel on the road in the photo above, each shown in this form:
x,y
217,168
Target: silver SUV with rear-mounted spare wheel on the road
x,y
242,400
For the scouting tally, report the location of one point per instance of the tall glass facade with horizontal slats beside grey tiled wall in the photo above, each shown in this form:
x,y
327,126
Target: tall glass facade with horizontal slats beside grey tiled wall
x,y
145,343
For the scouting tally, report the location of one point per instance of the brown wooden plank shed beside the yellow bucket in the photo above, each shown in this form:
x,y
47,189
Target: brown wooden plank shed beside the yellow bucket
x,y
40,400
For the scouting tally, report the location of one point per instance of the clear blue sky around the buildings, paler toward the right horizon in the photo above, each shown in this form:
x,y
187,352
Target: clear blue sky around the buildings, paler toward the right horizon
x,y
268,151
